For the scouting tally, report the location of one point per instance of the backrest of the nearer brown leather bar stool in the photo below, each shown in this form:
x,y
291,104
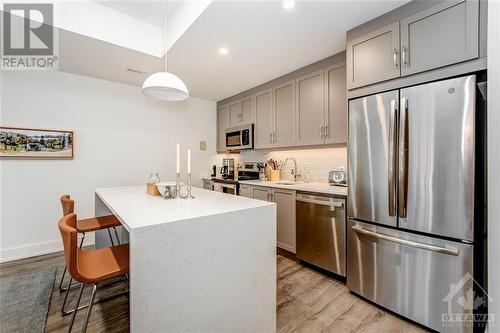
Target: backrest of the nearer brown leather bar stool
x,y
67,227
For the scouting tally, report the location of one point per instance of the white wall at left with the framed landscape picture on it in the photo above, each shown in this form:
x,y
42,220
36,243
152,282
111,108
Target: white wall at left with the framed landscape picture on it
x,y
120,138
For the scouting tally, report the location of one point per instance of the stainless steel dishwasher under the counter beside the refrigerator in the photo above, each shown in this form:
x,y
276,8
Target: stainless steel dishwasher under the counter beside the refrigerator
x,y
321,231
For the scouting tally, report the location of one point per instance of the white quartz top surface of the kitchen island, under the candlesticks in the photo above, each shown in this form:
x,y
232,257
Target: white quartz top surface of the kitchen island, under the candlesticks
x,y
135,208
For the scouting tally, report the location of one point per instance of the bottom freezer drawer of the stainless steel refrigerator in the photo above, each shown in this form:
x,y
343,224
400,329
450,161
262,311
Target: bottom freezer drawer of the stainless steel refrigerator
x,y
409,274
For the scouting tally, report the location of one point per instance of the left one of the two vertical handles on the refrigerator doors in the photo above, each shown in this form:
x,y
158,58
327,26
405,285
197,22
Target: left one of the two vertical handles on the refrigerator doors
x,y
392,159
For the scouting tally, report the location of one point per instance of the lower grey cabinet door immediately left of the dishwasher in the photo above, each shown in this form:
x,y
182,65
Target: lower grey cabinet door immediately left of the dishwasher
x,y
285,205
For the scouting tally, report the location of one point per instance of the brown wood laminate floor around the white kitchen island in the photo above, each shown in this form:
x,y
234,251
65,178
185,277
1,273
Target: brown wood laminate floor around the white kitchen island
x,y
307,301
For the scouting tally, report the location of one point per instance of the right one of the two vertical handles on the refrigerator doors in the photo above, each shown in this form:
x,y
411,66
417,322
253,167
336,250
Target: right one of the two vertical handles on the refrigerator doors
x,y
403,159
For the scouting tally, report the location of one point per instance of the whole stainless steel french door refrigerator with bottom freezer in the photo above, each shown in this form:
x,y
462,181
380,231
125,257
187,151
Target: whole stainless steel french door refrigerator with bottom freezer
x,y
410,237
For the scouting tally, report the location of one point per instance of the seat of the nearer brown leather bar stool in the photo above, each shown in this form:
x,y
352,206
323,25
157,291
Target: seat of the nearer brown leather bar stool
x,y
103,264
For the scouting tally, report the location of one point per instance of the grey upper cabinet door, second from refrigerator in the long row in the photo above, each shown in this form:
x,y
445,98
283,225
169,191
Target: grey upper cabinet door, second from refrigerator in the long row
x,y
310,109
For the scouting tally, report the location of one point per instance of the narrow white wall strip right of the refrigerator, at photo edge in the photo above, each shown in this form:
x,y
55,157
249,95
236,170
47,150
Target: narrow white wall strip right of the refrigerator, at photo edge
x,y
494,163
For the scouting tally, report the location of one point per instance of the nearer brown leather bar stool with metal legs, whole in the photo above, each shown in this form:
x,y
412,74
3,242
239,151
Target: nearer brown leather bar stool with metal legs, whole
x,y
90,267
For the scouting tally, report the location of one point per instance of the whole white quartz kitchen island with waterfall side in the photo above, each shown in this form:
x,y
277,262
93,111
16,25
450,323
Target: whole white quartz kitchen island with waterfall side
x,y
196,265
